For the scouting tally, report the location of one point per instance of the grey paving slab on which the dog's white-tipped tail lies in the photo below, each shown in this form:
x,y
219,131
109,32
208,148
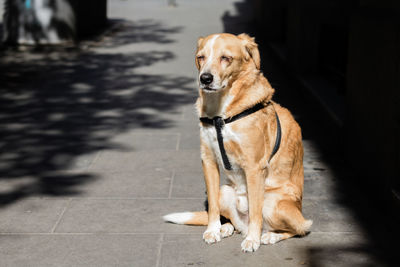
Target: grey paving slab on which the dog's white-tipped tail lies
x,y
126,216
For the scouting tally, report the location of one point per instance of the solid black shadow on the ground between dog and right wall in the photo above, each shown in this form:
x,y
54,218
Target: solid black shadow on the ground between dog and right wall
x,y
368,206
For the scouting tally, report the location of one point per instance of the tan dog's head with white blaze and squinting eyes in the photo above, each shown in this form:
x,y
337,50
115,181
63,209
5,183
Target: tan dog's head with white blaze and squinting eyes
x,y
220,58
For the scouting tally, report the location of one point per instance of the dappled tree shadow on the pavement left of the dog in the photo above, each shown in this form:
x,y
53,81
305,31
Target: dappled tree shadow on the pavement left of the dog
x,y
58,107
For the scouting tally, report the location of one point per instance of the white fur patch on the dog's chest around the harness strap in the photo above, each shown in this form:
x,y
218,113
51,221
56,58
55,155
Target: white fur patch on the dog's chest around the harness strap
x,y
209,136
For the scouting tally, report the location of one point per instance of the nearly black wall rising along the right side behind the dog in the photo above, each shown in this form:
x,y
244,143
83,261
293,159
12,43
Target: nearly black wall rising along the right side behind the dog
x,y
353,46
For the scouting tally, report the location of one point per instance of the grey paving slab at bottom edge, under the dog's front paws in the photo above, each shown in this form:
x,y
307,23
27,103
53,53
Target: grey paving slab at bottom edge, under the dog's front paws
x,y
316,249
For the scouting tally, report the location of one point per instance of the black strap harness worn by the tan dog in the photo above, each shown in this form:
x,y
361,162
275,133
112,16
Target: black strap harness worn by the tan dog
x,y
218,123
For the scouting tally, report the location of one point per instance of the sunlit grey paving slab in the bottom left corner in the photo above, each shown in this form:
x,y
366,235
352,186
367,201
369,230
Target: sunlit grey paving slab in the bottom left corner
x,y
79,250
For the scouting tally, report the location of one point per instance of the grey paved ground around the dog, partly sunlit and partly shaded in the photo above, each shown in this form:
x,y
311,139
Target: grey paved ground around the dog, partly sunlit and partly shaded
x,y
97,144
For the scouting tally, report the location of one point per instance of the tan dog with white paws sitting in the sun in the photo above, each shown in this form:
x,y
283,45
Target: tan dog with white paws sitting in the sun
x,y
261,190
